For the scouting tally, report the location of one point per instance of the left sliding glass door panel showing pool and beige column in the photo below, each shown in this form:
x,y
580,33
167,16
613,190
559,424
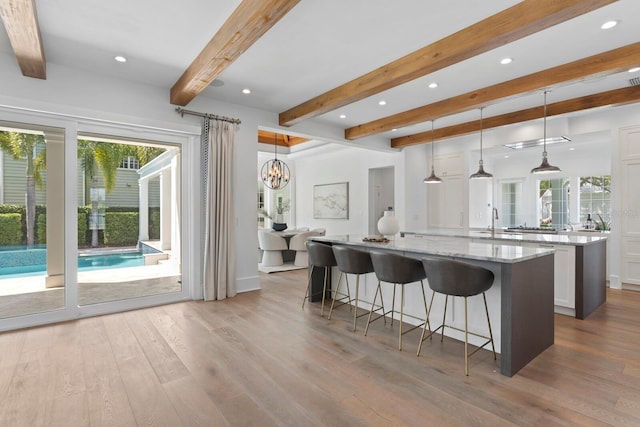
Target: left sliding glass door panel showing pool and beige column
x,y
32,233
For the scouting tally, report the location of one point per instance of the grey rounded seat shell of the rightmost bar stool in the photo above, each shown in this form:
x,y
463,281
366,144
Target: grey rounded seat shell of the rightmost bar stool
x,y
457,278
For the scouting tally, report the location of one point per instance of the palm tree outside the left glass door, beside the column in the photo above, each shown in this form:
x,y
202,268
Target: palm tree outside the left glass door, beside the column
x,y
24,146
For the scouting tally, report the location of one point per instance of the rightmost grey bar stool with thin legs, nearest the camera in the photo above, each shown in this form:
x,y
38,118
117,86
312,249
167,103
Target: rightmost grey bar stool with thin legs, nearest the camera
x,y
456,278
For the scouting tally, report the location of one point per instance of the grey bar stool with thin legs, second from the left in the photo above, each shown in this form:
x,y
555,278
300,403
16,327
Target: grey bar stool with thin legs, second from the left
x,y
351,261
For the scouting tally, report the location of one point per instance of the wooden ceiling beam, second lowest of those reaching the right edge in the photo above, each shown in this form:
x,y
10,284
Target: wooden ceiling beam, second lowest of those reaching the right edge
x,y
603,64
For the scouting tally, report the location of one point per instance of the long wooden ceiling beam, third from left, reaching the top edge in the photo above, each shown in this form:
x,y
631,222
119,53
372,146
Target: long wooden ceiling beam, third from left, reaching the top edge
x,y
516,22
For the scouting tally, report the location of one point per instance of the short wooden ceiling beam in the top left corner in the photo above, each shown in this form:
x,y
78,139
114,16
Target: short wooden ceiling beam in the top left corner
x,y
21,22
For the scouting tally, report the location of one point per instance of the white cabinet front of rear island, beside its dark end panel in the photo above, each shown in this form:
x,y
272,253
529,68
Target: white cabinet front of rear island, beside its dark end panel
x,y
564,276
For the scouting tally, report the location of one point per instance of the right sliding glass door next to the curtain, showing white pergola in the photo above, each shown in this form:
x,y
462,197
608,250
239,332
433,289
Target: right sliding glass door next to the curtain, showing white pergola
x,y
129,207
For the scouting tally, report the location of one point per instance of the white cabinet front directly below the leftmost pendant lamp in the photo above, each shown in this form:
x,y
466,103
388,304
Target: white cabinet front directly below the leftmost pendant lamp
x,y
445,203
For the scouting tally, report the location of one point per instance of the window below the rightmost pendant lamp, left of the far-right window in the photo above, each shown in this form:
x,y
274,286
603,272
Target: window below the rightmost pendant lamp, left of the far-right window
x,y
553,203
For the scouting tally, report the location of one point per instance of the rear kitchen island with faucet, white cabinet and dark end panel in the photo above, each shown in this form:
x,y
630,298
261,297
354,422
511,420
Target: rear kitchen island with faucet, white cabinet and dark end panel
x,y
580,267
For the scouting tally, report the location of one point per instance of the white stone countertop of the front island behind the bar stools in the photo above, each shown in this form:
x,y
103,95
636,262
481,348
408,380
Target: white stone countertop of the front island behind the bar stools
x,y
456,247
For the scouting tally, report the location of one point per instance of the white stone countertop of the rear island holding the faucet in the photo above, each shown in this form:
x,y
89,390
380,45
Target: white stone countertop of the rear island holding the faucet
x,y
574,239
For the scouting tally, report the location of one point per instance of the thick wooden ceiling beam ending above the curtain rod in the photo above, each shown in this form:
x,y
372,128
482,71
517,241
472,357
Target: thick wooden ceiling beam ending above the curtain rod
x,y
250,20
